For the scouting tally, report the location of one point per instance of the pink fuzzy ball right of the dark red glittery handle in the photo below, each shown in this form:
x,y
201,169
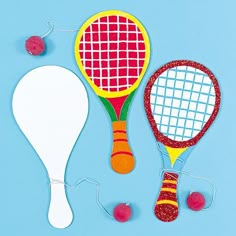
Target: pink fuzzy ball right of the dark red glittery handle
x,y
196,201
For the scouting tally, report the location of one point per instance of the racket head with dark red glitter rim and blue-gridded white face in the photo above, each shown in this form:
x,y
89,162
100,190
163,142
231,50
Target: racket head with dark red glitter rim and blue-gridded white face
x,y
189,70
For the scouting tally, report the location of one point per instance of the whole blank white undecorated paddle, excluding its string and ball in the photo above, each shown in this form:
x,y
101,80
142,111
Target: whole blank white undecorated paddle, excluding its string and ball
x,y
50,105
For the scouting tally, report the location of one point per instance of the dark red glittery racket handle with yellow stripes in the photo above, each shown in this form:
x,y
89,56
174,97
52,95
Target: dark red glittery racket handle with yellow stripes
x,y
166,208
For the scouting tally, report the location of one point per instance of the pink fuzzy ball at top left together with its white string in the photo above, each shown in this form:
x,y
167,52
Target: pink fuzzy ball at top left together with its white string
x,y
35,45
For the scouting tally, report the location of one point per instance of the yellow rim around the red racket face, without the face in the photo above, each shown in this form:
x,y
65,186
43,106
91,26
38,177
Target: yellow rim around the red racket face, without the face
x,y
98,91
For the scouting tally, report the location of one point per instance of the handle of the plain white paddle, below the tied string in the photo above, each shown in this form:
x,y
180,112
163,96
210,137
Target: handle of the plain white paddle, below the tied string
x,y
60,215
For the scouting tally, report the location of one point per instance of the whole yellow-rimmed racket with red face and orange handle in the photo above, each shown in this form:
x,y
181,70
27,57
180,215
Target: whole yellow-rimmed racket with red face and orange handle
x,y
112,51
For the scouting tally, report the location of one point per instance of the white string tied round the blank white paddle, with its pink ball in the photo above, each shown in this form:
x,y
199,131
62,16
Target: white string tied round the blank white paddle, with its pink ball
x,y
121,213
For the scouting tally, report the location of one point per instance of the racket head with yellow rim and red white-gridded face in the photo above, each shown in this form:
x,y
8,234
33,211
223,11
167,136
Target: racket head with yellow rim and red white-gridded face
x,y
121,70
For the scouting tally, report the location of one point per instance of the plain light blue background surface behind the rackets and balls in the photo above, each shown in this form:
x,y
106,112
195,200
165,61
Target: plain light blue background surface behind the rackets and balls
x,y
203,31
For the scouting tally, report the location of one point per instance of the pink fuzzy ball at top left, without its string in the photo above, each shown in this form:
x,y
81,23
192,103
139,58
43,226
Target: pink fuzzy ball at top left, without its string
x,y
35,45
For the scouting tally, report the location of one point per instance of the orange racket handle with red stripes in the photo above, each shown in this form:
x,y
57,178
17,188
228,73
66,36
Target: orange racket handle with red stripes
x,y
122,159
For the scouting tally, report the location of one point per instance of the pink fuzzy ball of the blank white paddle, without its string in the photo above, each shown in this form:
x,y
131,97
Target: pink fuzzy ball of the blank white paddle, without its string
x,y
122,212
